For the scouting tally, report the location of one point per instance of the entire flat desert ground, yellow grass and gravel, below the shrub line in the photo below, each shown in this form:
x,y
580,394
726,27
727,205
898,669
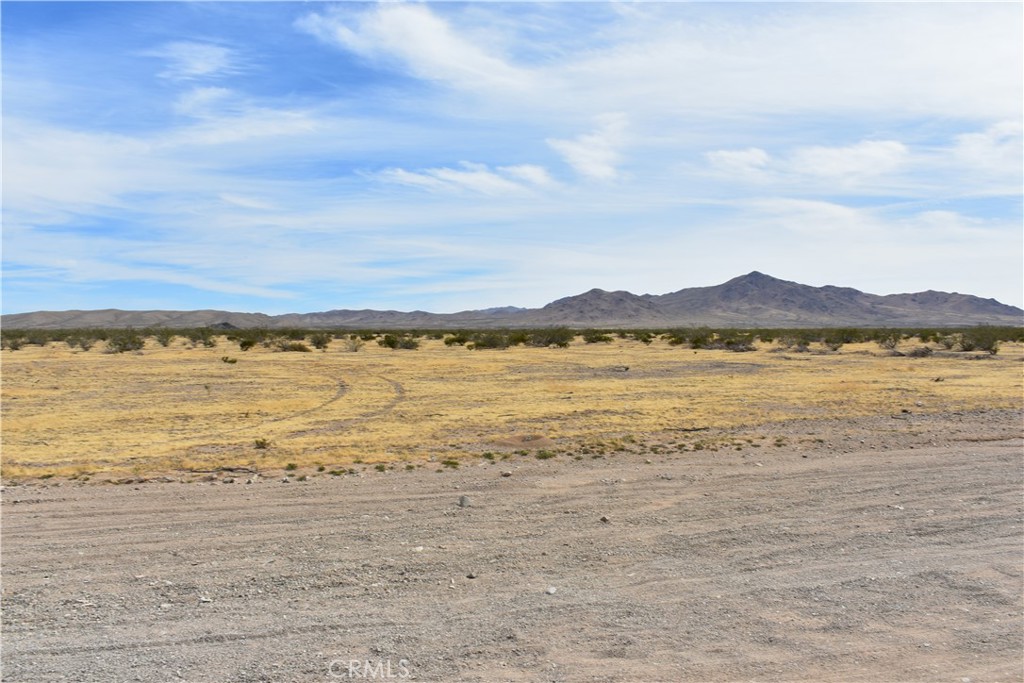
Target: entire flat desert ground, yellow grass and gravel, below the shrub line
x,y
604,513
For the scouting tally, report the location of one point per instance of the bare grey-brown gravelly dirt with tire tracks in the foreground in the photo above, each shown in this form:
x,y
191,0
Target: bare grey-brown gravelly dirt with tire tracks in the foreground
x,y
884,549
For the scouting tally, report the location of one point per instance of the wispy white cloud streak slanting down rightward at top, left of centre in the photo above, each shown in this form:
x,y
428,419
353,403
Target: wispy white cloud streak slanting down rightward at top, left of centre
x,y
420,40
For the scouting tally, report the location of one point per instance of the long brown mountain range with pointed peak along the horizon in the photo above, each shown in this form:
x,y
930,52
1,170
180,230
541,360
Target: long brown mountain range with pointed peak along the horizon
x,y
751,301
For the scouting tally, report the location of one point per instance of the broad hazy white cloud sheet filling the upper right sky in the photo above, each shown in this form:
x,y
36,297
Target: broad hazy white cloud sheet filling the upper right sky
x,y
905,60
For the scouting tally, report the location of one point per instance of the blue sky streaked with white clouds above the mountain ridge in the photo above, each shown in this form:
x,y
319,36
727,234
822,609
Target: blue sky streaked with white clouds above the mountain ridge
x,y
302,157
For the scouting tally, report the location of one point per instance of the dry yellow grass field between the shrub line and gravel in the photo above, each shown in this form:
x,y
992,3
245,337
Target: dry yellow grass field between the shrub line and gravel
x,y
71,413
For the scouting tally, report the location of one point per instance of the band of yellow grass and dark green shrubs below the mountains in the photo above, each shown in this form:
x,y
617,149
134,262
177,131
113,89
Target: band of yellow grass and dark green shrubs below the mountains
x,y
475,397
